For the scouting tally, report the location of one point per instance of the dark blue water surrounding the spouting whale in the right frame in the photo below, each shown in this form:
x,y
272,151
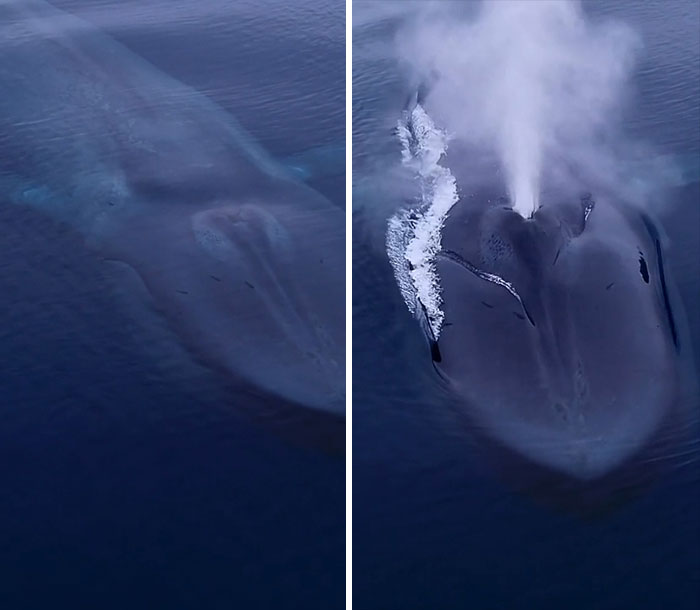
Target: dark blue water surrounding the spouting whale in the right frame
x,y
434,525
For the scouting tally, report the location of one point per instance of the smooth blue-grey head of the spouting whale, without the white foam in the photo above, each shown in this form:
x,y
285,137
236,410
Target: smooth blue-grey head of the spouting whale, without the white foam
x,y
563,338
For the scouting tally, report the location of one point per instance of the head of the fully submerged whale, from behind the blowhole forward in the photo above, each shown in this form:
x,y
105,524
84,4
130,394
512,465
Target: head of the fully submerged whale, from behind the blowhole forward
x,y
253,287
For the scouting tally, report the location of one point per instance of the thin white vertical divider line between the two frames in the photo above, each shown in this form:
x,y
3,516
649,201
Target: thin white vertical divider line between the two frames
x,y
348,304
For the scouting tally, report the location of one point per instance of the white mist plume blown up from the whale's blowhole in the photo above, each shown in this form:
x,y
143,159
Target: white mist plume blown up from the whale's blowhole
x,y
534,80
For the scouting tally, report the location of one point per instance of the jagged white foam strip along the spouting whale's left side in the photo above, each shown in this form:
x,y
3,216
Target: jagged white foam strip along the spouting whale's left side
x,y
413,236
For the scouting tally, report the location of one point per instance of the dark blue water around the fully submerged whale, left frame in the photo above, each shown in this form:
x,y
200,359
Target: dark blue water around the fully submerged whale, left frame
x,y
130,478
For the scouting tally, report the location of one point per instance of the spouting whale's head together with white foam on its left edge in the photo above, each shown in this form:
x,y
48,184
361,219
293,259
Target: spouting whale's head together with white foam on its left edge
x,y
561,336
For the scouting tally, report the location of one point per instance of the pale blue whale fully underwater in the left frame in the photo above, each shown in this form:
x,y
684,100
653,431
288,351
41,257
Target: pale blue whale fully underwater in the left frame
x,y
245,262
